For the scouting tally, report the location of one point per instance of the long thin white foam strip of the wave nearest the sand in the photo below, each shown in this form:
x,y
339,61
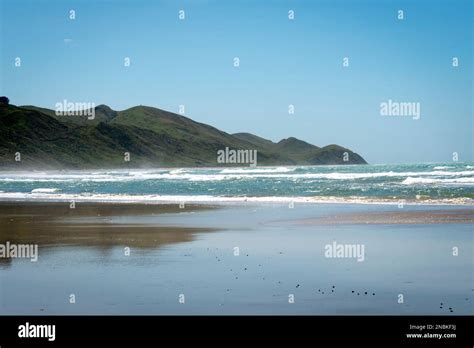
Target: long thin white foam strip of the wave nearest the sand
x,y
206,199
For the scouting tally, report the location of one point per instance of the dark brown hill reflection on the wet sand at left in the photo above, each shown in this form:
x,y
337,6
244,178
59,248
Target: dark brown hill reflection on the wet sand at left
x,y
55,224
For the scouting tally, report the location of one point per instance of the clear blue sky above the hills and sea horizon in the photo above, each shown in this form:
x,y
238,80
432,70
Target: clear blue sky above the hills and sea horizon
x,y
282,62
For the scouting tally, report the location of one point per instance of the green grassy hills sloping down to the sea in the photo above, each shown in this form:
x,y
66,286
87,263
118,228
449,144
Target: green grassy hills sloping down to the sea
x,y
153,137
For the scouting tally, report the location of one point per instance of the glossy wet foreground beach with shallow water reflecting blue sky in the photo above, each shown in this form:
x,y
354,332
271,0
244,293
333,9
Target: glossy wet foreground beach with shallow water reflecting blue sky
x,y
192,253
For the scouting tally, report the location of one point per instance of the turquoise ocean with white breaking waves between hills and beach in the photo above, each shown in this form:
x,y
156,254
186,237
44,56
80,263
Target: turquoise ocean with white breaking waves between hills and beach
x,y
439,183
